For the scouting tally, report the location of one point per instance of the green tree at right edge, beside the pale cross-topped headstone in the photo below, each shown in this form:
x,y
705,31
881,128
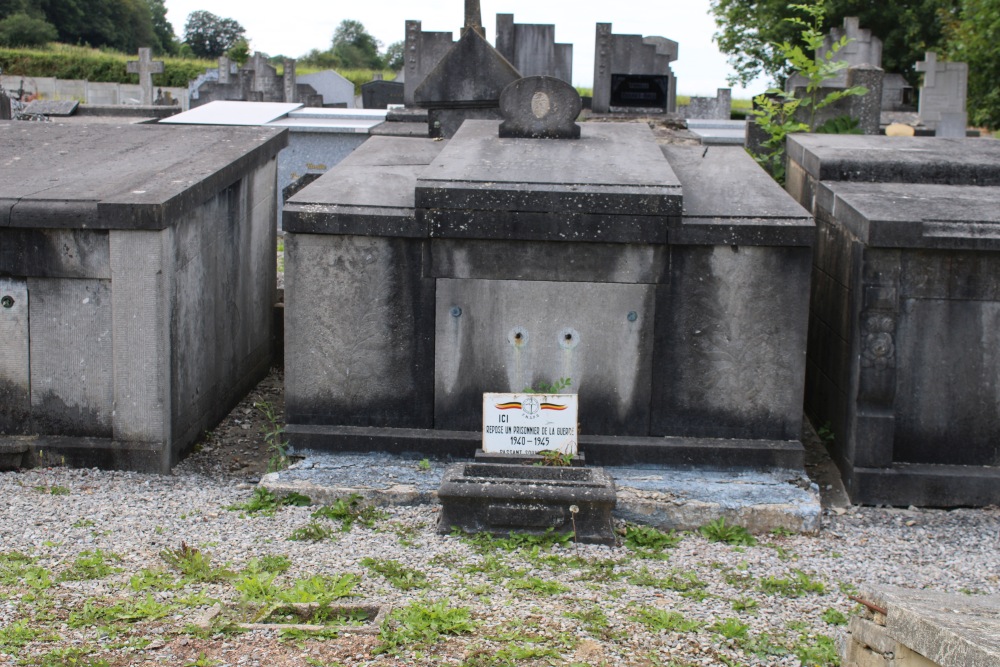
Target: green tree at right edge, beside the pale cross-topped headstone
x,y
973,37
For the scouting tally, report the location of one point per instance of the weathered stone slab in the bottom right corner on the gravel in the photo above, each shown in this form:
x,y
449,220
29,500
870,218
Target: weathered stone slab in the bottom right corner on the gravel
x,y
951,630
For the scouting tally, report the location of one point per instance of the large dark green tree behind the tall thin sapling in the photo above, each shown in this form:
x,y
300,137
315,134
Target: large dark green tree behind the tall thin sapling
x,y
749,29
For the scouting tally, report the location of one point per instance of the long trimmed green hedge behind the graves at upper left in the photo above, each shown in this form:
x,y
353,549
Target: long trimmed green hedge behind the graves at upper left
x,y
95,66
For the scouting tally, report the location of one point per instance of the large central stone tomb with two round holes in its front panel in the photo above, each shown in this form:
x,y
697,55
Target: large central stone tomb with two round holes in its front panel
x,y
666,284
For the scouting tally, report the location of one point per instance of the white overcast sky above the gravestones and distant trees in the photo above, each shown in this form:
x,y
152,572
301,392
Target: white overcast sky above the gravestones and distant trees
x,y
294,27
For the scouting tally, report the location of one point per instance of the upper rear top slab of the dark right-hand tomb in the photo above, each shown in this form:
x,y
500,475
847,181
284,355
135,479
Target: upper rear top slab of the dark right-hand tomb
x,y
844,157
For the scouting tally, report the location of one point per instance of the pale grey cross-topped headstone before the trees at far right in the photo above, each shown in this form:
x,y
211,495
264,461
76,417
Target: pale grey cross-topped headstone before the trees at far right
x,y
943,95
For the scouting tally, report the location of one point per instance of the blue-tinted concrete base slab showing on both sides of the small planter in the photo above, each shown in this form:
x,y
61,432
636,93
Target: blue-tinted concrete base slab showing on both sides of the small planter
x,y
669,498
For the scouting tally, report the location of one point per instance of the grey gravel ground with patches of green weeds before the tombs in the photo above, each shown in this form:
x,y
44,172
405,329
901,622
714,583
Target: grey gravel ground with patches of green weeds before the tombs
x,y
781,602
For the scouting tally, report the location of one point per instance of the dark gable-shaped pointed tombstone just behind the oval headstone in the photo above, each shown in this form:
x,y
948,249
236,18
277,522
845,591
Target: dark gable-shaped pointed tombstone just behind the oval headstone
x,y
465,84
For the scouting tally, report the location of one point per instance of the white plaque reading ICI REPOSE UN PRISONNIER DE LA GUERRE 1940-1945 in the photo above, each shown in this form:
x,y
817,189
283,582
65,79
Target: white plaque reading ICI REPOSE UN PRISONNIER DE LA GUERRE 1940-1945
x,y
529,423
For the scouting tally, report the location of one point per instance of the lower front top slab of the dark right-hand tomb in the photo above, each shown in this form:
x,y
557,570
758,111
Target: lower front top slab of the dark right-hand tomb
x,y
902,215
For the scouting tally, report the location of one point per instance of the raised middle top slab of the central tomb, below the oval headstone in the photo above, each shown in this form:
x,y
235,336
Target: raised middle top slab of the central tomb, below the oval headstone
x,y
613,169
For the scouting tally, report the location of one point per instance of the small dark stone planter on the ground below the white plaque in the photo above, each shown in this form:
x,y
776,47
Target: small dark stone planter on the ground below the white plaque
x,y
503,498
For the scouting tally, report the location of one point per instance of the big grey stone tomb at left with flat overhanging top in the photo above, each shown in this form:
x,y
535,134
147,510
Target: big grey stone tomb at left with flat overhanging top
x,y
136,285
